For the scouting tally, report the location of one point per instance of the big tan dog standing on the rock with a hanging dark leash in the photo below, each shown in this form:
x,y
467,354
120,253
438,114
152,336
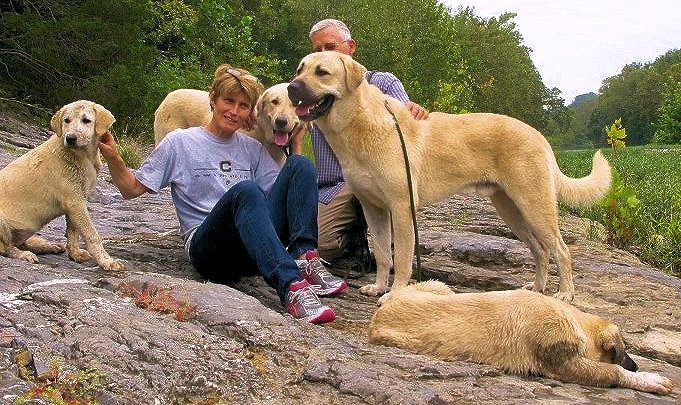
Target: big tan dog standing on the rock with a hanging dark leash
x,y
494,154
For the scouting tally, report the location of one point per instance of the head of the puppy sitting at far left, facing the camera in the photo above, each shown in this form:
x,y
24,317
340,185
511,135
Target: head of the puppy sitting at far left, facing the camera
x,y
81,123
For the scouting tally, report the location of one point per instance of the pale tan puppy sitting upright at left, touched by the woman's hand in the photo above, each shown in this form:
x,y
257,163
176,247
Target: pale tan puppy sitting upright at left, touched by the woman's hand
x,y
54,179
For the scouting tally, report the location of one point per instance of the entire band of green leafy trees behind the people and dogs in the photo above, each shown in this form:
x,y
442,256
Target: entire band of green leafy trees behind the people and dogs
x,y
127,54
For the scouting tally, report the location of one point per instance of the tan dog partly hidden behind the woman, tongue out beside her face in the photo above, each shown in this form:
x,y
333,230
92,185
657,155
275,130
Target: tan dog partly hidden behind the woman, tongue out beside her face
x,y
276,119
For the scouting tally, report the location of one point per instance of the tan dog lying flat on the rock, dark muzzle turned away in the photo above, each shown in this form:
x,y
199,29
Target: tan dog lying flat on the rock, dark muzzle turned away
x,y
519,331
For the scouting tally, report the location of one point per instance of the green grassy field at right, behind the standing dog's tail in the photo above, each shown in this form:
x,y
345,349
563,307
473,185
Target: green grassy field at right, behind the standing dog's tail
x,y
654,173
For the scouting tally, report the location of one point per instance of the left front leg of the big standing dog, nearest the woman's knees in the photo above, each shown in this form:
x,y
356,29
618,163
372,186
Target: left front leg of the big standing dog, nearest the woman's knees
x,y
378,221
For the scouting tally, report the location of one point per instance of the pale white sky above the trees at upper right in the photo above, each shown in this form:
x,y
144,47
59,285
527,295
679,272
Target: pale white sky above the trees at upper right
x,y
576,44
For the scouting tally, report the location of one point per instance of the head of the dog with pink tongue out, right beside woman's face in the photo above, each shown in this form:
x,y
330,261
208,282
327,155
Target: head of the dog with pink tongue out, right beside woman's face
x,y
276,115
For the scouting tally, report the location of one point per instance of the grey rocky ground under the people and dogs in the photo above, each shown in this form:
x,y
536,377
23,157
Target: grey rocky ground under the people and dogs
x,y
159,334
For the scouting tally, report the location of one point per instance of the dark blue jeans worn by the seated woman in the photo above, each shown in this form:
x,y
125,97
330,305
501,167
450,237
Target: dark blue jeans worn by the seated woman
x,y
248,232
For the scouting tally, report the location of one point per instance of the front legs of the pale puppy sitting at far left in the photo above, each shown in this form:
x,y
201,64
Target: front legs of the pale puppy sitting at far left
x,y
79,222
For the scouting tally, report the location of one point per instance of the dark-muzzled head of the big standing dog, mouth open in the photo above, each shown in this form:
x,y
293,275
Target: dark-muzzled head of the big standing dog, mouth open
x,y
321,79
